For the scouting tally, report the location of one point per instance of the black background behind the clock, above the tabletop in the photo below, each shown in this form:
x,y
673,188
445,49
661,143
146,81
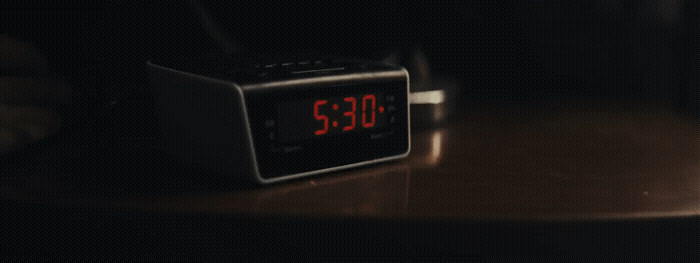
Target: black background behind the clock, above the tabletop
x,y
499,51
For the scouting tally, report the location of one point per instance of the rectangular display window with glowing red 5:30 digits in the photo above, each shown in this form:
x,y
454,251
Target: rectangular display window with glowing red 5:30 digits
x,y
307,119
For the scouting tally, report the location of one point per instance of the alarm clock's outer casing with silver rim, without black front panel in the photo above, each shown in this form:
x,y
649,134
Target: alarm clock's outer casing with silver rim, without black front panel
x,y
205,119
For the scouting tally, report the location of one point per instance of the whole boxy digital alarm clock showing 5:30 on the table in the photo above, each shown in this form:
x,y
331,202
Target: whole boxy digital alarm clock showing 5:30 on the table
x,y
281,120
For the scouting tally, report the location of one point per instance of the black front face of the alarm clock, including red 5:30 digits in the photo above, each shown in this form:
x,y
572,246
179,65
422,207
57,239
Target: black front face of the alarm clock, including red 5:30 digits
x,y
298,130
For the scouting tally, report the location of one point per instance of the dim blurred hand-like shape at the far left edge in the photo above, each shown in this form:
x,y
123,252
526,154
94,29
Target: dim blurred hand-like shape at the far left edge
x,y
26,96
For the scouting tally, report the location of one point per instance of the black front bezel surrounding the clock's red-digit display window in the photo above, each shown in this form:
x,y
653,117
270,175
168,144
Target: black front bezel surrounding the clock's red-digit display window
x,y
276,159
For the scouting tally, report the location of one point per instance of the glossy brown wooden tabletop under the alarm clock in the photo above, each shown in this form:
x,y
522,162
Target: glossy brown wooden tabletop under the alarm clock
x,y
492,163
